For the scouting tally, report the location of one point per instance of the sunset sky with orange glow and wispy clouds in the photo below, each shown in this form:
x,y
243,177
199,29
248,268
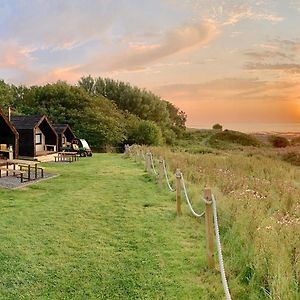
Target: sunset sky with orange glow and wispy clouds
x,y
232,62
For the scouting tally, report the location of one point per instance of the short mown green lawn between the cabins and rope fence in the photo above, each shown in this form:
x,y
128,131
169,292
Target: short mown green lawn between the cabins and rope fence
x,y
102,229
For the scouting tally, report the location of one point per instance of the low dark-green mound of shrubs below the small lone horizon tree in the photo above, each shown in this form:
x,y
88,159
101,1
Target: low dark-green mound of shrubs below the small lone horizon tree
x,y
224,138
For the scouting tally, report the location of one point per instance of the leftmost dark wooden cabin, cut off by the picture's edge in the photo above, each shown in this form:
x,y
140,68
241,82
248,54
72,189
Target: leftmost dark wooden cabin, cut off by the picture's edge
x,y
9,138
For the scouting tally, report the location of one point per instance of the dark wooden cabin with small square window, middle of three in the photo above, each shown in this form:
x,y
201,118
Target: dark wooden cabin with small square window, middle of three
x,y
36,135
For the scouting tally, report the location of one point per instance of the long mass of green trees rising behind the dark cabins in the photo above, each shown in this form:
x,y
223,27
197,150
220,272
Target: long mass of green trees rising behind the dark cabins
x,y
106,112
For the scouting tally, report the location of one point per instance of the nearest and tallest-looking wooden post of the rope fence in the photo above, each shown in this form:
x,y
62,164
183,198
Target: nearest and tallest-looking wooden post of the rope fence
x,y
209,228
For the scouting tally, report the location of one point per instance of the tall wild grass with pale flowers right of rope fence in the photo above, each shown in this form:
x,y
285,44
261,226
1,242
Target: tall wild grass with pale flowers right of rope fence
x,y
258,199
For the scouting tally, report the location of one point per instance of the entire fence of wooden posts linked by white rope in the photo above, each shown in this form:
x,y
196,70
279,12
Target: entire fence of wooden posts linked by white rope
x,y
210,213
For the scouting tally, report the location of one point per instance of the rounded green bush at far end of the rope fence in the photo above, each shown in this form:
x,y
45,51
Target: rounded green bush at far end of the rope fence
x,y
147,133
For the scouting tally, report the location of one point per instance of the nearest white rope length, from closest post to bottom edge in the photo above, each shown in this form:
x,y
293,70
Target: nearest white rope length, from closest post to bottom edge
x,y
219,248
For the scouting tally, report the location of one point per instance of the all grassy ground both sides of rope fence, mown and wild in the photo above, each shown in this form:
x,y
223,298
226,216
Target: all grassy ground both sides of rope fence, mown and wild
x,y
102,229
